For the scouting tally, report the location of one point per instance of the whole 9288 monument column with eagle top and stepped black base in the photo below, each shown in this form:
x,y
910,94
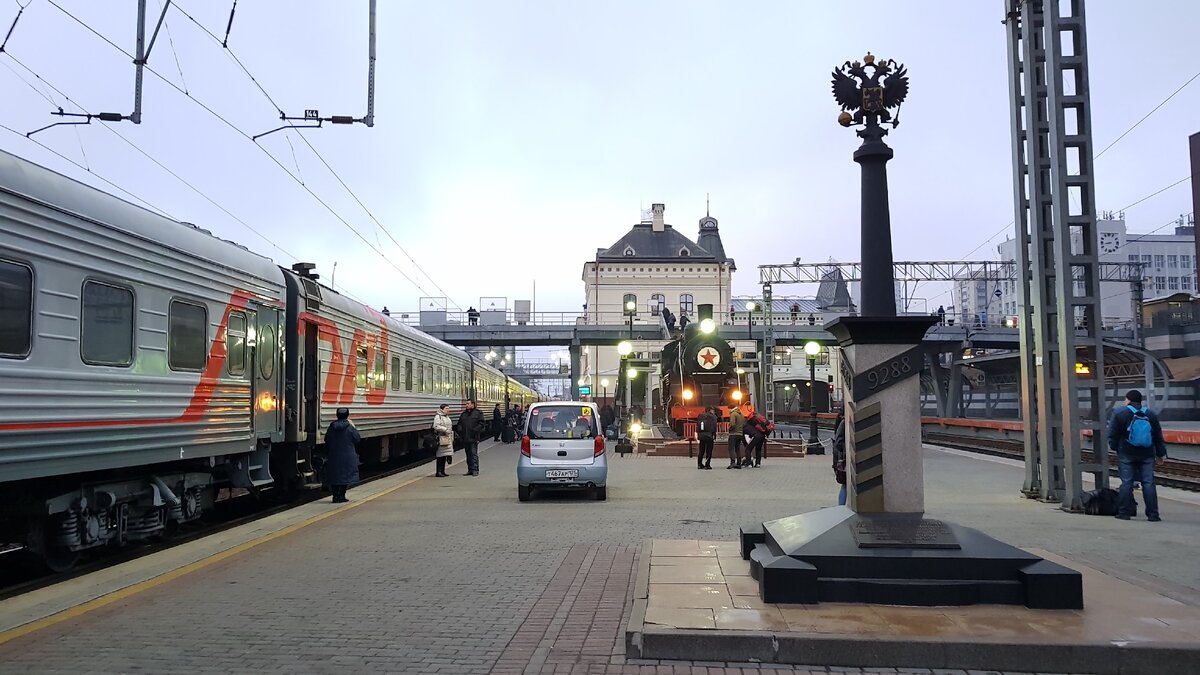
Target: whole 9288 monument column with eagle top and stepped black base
x,y
881,548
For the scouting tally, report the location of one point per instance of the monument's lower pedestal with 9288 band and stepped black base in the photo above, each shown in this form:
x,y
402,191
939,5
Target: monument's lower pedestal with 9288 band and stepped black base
x,y
881,548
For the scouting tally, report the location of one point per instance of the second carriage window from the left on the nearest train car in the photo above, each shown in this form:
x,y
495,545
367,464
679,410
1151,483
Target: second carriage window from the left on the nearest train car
x,y
106,326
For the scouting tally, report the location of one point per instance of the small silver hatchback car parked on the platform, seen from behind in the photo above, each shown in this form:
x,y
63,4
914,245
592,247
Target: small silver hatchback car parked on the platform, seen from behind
x,y
562,447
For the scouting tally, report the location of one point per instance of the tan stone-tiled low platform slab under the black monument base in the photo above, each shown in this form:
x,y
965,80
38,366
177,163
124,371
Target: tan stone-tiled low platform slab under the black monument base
x,y
695,596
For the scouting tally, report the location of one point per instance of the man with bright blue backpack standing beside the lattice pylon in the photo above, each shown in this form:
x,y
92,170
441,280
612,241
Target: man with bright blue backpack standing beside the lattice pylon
x,y
1137,438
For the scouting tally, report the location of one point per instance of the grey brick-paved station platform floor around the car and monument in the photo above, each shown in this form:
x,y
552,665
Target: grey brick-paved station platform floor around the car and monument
x,y
455,576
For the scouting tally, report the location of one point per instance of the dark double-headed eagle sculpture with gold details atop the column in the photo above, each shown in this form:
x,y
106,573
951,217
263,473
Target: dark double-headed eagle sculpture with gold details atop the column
x,y
867,99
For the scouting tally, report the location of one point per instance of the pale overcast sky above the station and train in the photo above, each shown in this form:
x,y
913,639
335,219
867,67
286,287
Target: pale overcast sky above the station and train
x,y
512,140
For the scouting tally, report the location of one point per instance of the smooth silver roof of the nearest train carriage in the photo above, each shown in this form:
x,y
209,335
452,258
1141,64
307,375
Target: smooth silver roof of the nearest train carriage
x,y
39,184
